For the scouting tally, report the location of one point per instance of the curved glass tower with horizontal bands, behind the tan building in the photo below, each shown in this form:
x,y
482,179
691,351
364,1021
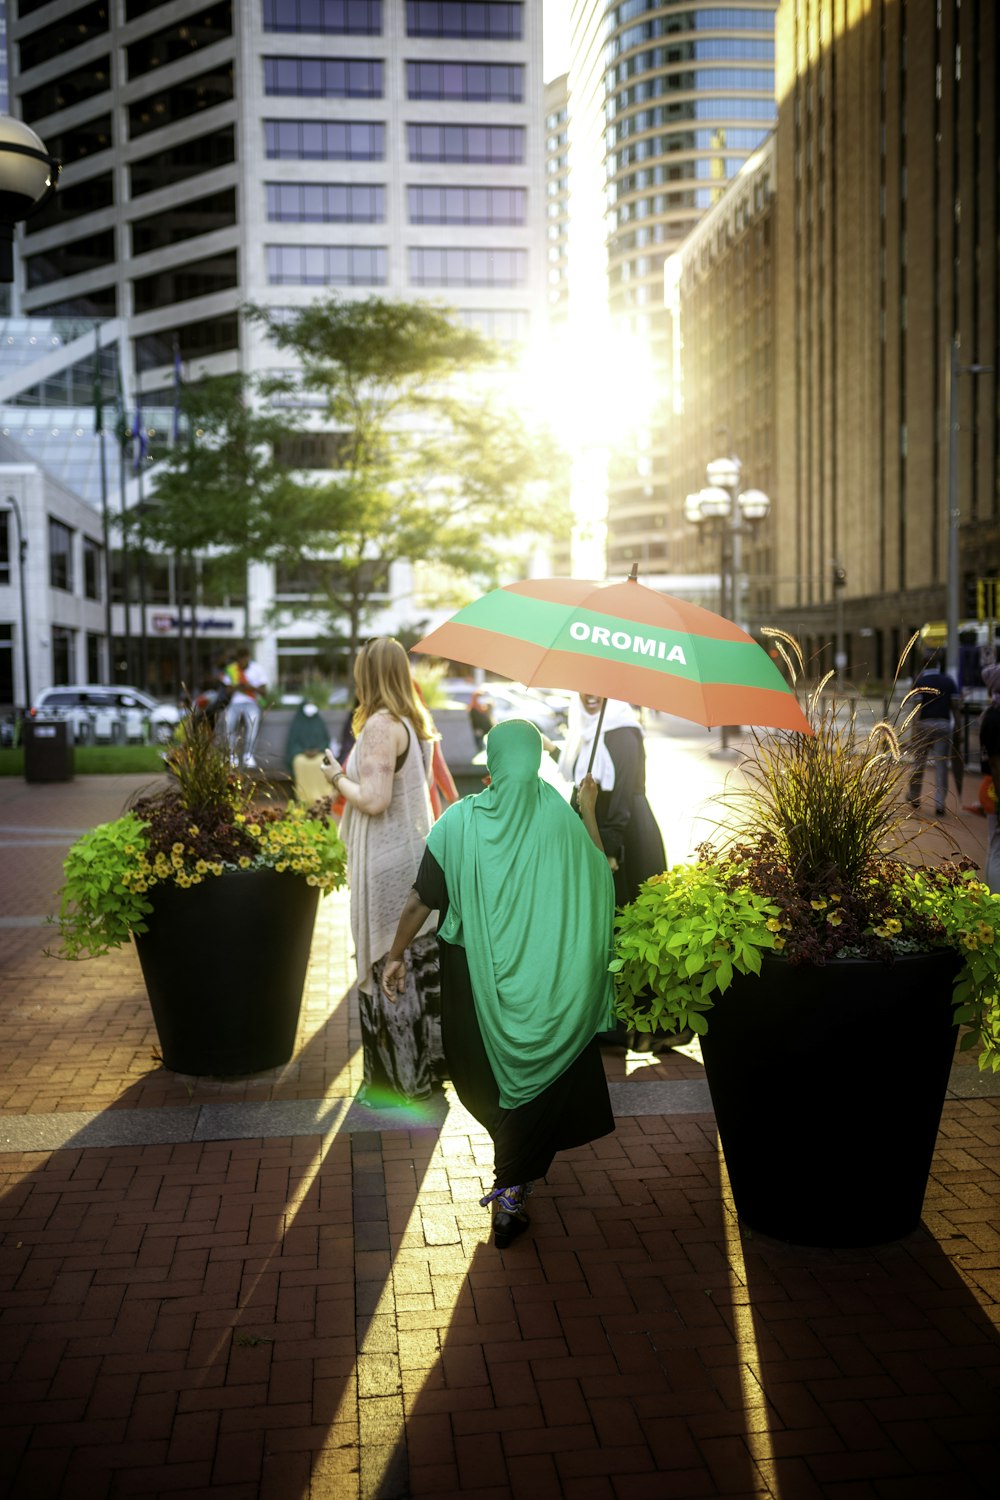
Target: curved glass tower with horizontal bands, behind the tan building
x,y
666,104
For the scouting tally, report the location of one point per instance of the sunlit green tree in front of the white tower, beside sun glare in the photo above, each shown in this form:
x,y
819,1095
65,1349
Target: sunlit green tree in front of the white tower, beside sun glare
x,y
428,466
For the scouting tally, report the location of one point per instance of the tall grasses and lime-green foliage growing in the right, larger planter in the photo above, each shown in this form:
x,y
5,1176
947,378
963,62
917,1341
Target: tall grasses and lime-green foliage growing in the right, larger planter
x,y
815,869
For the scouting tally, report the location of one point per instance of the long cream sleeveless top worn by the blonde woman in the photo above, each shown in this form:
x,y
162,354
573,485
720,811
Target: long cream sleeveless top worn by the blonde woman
x,y
385,854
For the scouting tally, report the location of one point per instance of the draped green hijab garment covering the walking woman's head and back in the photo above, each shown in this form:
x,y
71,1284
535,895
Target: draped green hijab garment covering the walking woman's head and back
x,y
531,902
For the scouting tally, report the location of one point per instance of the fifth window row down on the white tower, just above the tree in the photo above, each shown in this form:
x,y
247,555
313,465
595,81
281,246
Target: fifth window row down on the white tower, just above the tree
x,y
367,266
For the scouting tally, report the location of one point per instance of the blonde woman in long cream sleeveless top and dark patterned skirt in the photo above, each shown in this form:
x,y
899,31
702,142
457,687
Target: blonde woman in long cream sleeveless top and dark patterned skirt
x,y
386,821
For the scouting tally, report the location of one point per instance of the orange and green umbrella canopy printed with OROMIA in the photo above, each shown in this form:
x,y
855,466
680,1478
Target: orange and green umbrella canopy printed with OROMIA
x,y
621,641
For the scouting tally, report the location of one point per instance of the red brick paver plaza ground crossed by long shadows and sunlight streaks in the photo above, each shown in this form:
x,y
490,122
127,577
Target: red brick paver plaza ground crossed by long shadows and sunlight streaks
x,y
259,1309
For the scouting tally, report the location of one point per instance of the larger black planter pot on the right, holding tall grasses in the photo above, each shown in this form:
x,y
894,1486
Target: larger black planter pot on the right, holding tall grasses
x,y
828,1087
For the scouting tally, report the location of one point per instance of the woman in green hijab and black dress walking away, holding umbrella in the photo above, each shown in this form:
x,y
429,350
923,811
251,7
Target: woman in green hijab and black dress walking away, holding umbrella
x,y
527,904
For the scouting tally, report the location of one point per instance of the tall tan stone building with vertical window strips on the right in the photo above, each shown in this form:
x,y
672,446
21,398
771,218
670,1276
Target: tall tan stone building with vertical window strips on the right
x,y
875,248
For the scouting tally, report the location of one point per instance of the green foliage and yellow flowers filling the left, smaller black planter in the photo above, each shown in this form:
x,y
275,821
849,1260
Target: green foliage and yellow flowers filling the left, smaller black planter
x,y
200,826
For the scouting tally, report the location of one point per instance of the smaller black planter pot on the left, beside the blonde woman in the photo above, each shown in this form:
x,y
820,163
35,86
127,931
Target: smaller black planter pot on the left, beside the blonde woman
x,y
224,965
